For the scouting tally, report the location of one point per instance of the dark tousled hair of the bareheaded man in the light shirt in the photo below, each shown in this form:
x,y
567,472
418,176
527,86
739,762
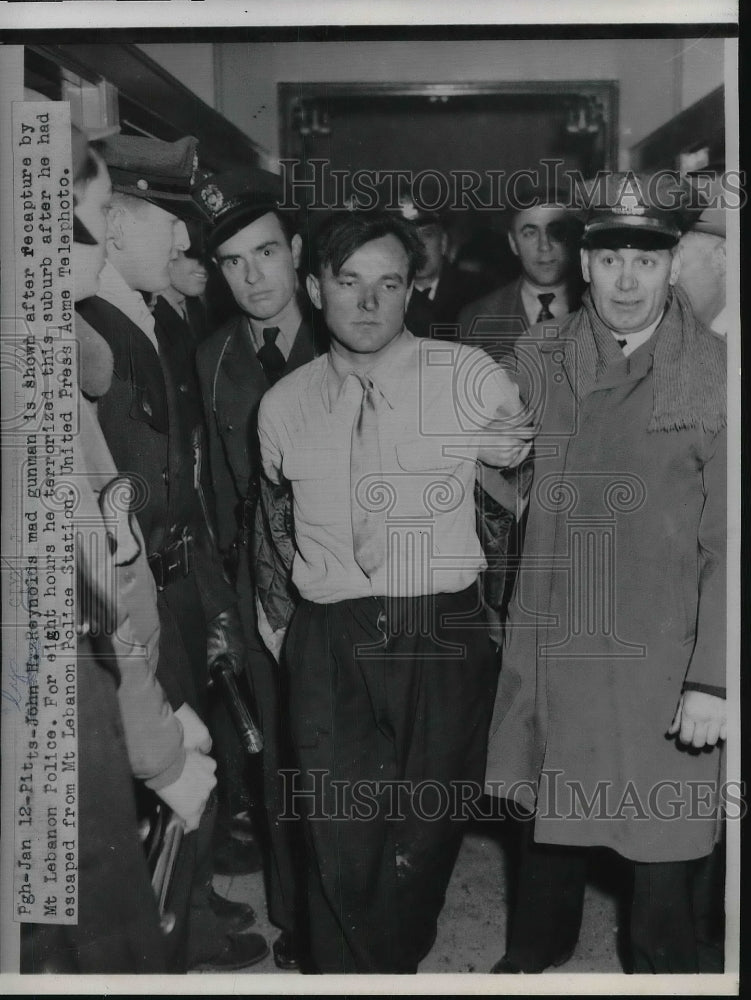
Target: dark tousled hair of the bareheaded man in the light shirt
x,y
342,233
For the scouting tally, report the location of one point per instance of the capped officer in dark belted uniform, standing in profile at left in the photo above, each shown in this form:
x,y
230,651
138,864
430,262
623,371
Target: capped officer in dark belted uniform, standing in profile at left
x,y
153,441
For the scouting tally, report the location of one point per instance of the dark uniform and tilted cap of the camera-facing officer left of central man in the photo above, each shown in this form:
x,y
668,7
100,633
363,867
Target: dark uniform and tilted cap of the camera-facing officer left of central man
x,y
233,380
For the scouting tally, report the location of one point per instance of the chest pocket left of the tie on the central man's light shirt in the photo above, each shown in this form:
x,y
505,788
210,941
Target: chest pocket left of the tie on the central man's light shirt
x,y
319,485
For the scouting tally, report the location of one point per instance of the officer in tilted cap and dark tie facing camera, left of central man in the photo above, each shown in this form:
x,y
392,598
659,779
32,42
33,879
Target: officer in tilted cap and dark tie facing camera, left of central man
x,y
257,251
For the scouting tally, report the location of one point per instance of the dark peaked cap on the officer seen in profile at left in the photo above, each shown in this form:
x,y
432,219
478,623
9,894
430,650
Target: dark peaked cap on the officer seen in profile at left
x,y
160,172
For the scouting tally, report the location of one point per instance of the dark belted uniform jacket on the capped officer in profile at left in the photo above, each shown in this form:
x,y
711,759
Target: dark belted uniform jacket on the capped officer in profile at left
x,y
144,423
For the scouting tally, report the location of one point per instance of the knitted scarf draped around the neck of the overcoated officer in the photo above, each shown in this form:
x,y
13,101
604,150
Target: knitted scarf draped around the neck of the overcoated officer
x,y
689,372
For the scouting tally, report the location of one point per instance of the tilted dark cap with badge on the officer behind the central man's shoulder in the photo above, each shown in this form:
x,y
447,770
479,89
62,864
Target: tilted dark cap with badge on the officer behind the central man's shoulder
x,y
234,199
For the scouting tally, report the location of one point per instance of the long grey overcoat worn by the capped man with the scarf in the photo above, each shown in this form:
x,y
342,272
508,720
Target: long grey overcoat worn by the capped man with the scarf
x,y
620,601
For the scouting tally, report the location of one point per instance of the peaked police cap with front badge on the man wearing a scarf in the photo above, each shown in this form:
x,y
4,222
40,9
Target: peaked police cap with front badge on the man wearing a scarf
x,y
643,211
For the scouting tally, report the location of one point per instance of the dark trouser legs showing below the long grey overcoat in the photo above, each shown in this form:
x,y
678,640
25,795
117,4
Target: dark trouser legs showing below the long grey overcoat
x,y
668,910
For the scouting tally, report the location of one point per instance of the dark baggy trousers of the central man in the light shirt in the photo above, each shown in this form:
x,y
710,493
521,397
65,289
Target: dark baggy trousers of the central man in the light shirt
x,y
385,691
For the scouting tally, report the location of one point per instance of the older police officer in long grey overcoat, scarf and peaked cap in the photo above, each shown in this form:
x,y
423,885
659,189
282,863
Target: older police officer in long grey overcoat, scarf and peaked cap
x,y
614,665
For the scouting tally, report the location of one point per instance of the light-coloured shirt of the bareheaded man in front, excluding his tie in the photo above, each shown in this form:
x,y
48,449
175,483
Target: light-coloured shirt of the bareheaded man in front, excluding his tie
x,y
437,401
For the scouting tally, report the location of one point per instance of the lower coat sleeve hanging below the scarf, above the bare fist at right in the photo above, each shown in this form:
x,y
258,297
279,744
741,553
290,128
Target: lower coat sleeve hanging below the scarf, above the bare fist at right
x,y
707,667
